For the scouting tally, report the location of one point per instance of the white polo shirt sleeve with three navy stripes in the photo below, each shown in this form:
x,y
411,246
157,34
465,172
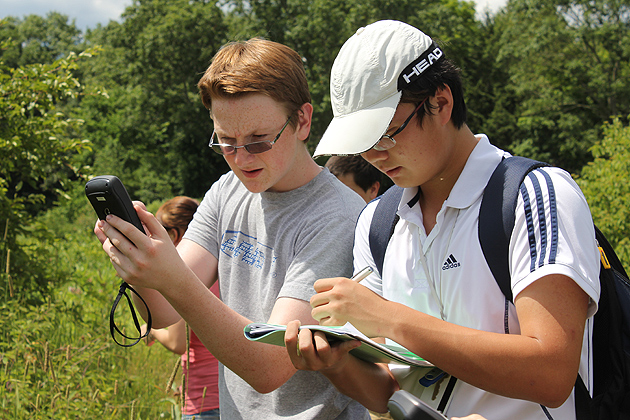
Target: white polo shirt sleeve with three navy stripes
x,y
554,234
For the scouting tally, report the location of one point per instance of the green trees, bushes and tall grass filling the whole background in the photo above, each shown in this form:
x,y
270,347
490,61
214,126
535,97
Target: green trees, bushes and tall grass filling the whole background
x,y
544,79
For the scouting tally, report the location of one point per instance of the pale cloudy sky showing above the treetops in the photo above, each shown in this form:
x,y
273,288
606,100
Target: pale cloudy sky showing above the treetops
x,y
88,13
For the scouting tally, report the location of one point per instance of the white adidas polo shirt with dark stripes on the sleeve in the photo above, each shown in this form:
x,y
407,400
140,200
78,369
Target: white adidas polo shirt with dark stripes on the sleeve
x,y
445,274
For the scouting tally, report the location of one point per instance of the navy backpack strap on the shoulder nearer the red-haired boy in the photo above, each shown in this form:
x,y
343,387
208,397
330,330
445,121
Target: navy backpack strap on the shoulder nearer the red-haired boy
x,y
383,222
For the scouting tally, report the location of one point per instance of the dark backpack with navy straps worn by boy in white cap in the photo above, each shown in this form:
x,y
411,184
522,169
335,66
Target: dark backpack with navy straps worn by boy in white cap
x,y
611,328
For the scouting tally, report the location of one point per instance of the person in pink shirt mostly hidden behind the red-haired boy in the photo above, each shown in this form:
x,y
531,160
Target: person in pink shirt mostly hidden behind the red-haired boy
x,y
199,366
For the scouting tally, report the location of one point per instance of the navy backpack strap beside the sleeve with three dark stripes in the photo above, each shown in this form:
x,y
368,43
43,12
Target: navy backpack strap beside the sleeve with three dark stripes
x,y
496,216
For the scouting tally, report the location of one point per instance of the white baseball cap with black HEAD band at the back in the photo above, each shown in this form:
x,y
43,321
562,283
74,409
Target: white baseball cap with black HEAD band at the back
x,y
366,81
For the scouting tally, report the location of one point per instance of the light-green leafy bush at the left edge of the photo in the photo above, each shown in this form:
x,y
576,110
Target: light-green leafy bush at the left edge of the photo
x,y
39,148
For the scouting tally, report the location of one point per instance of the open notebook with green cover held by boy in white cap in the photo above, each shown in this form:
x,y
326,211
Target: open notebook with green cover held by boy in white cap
x,y
369,350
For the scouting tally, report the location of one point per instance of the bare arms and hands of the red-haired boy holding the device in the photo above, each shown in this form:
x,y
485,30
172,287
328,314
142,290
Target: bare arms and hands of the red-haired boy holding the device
x,y
180,286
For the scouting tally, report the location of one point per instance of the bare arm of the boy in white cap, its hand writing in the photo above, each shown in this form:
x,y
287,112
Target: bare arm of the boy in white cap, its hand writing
x,y
551,311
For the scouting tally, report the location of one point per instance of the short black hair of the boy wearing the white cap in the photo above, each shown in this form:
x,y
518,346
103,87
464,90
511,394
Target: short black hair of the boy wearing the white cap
x,y
442,73
